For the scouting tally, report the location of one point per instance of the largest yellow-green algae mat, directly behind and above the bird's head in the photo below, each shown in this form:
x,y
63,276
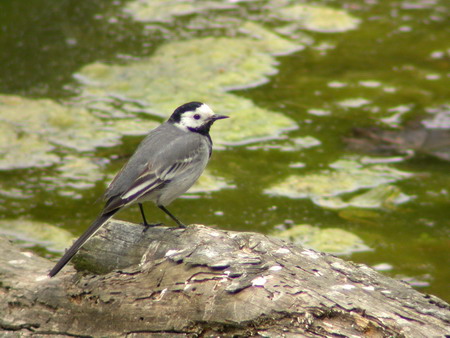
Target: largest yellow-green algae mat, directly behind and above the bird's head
x,y
200,69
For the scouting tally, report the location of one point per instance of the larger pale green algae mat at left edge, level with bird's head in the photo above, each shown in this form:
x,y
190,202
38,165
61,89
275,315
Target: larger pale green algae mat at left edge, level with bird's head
x,y
32,129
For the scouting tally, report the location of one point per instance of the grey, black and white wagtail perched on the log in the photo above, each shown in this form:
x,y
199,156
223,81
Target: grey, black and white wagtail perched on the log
x,y
165,165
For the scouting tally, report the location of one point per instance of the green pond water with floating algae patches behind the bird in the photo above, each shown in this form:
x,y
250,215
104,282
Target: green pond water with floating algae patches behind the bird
x,y
81,82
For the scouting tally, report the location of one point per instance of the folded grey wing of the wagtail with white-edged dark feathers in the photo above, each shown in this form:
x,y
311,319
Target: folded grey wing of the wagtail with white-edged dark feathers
x,y
173,159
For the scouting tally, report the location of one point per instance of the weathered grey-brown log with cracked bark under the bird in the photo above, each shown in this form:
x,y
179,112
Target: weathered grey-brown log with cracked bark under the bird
x,y
201,281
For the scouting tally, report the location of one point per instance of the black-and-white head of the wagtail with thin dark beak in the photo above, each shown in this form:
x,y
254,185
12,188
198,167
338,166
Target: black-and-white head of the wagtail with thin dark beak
x,y
195,117
